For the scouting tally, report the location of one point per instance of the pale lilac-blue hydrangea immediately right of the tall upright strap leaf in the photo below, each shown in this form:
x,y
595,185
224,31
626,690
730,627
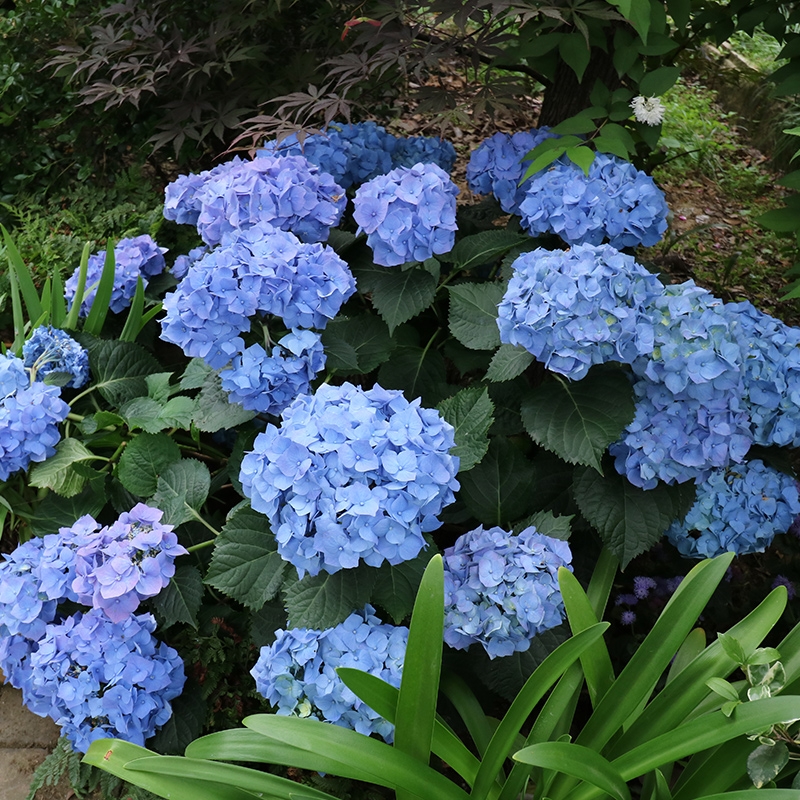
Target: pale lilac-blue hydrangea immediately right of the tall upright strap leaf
x,y
502,589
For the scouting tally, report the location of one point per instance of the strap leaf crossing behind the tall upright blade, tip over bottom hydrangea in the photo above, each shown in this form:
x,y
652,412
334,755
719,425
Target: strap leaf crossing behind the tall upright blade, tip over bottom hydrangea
x,y
382,698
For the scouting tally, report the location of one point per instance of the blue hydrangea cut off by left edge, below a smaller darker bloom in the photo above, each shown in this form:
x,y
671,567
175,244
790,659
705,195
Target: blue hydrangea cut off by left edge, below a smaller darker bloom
x,y
30,414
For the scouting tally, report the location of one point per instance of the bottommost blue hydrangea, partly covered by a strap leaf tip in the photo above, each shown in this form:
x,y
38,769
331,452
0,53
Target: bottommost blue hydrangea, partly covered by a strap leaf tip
x,y
297,673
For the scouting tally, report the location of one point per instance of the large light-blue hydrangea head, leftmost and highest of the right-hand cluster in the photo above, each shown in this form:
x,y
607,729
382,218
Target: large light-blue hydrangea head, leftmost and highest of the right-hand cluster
x,y
577,308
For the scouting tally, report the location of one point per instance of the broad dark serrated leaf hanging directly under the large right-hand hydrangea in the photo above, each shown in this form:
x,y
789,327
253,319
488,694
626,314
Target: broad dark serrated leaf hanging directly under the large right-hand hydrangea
x,y
578,420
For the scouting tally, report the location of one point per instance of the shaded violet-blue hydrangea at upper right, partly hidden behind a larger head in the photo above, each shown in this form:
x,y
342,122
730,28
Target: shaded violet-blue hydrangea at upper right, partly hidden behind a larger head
x,y
496,166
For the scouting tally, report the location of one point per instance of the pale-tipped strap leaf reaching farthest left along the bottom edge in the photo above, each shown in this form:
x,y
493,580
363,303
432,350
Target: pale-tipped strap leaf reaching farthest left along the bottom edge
x,y
114,756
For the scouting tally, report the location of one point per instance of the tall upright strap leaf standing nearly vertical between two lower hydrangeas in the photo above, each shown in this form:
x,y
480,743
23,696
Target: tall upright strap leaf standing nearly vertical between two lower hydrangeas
x,y
419,687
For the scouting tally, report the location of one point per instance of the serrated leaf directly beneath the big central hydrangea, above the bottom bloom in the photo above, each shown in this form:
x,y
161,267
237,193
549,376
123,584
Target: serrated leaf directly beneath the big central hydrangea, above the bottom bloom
x,y
324,600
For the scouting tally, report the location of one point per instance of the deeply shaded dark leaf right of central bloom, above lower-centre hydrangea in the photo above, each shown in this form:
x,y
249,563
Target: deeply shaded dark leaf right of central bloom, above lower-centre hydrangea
x,y
499,490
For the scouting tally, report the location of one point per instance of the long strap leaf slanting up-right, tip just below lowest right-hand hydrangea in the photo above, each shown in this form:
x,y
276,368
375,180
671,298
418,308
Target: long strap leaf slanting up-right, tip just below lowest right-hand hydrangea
x,y
652,658
